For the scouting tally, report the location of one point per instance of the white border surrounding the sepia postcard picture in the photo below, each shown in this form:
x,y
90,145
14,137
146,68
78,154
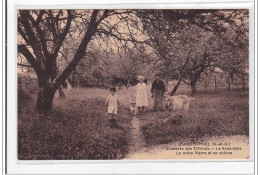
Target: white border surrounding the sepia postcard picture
x,y
121,167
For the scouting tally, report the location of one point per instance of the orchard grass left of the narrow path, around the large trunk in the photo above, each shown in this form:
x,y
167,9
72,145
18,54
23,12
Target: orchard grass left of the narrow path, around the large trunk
x,y
77,128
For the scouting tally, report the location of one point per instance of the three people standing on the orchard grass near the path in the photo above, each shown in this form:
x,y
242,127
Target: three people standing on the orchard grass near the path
x,y
157,90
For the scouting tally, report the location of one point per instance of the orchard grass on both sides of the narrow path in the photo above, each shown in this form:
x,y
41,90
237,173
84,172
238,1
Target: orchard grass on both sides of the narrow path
x,y
78,126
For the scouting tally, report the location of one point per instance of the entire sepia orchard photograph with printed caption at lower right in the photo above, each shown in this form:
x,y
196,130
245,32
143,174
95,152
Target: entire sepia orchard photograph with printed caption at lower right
x,y
133,84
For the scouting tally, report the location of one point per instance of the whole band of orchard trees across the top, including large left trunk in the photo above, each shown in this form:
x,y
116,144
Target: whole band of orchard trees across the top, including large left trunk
x,y
101,45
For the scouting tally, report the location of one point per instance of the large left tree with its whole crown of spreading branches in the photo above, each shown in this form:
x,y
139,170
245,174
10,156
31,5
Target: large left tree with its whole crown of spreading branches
x,y
55,41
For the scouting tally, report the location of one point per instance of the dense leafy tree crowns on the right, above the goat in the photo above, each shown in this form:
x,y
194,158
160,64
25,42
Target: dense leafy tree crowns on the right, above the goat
x,y
189,42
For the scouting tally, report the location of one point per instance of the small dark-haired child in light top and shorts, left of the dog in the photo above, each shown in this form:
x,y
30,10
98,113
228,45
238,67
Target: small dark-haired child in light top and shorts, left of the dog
x,y
112,102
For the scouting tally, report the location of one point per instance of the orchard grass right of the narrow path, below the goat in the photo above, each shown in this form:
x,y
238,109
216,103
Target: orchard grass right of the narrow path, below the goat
x,y
212,113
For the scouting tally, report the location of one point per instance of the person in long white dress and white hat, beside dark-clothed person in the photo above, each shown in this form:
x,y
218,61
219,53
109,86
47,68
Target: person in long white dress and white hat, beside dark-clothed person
x,y
141,96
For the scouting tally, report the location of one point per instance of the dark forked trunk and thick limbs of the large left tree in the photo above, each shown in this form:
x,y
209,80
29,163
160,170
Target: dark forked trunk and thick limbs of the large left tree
x,y
41,35
